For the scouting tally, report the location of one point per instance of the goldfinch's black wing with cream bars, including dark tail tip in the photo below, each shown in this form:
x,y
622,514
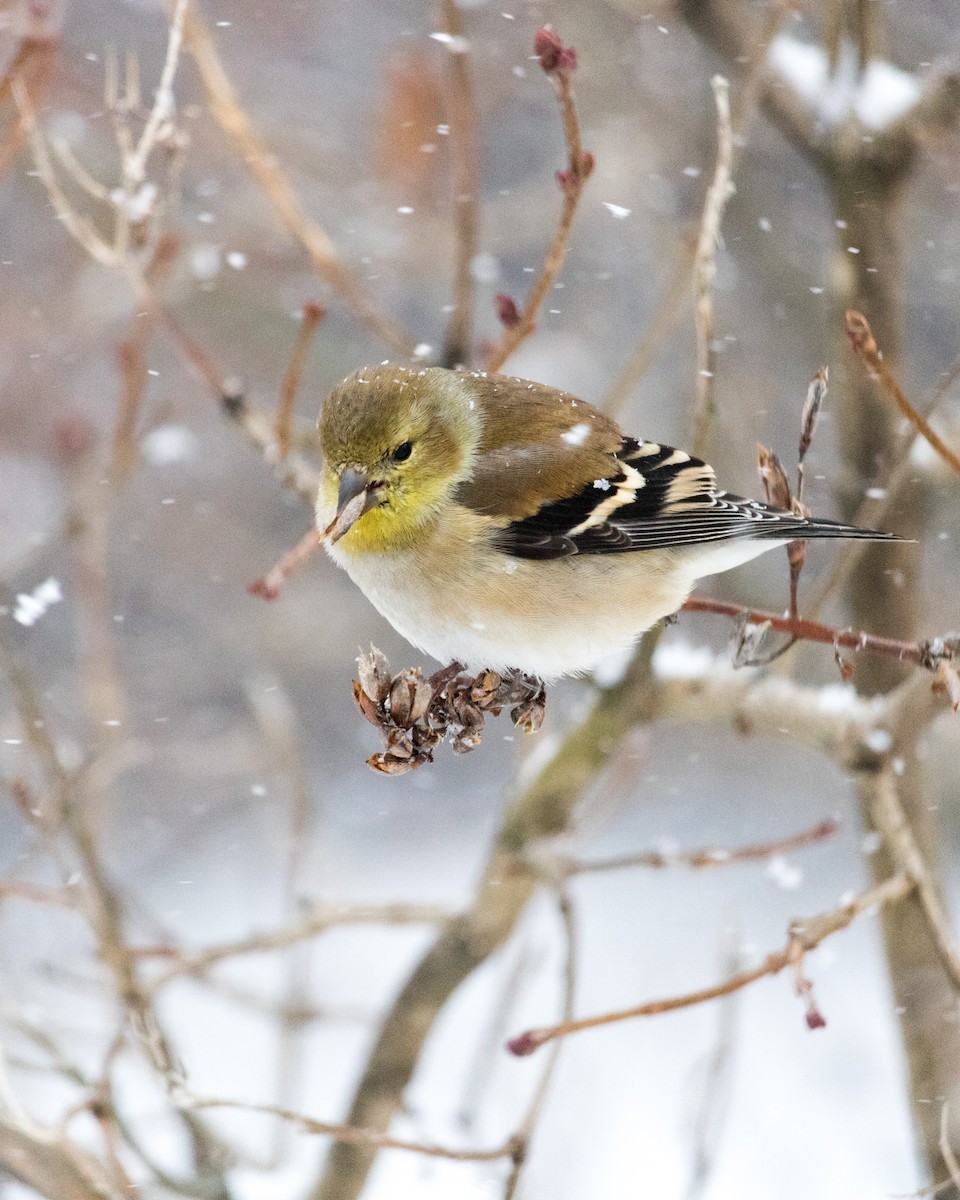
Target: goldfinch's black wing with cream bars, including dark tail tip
x,y
662,499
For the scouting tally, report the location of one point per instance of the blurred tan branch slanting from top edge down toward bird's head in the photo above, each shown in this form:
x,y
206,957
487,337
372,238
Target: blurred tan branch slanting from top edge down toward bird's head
x,y
263,166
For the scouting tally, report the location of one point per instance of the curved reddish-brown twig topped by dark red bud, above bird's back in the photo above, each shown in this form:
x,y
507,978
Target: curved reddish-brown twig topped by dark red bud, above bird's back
x,y
559,63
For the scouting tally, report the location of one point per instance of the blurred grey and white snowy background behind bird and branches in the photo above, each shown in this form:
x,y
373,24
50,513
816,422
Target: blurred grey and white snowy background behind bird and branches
x,y
224,761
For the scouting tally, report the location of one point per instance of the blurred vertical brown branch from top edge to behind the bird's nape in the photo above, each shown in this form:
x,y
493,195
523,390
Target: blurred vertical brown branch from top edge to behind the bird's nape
x,y
461,118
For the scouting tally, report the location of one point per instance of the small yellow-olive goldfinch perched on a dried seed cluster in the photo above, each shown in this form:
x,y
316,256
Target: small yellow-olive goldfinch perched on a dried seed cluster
x,y
511,526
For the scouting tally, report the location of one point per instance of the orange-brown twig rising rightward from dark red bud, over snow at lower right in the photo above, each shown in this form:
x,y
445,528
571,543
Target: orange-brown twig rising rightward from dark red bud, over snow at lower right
x,y
805,937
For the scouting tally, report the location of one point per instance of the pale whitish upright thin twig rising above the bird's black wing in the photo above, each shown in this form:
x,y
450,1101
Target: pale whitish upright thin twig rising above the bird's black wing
x,y
705,265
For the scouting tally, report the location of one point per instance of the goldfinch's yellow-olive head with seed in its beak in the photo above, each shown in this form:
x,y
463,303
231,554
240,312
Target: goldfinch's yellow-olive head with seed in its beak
x,y
395,443
